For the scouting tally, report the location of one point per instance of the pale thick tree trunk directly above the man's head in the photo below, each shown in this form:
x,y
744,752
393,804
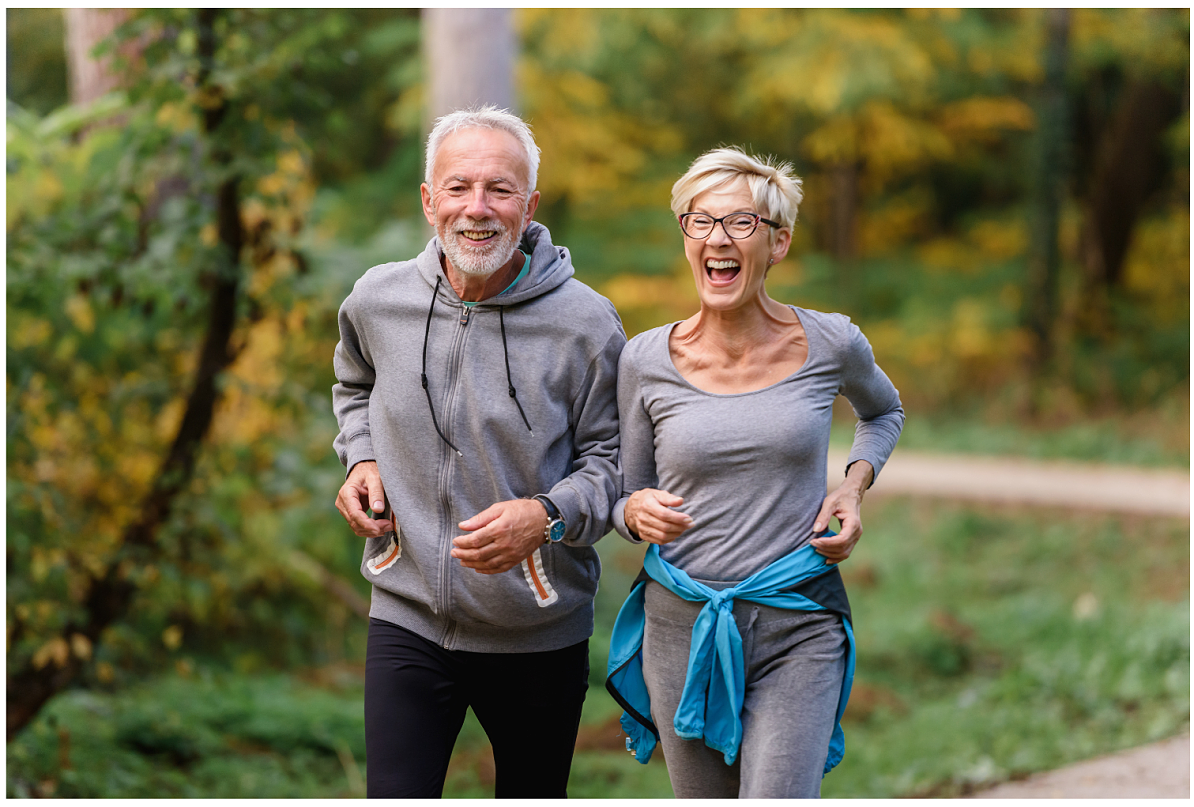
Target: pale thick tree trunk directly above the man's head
x,y
470,56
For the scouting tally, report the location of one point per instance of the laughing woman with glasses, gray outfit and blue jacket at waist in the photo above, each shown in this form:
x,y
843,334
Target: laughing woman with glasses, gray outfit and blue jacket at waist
x,y
735,650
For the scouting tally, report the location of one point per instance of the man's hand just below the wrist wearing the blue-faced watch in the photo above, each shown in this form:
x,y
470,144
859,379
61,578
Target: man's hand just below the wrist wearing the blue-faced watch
x,y
502,537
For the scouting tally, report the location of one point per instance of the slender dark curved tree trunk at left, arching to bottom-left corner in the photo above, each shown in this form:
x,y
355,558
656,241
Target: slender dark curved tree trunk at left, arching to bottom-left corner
x,y
110,596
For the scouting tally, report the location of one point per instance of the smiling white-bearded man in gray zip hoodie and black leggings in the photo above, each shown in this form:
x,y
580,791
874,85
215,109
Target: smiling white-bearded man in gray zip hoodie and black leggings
x,y
478,414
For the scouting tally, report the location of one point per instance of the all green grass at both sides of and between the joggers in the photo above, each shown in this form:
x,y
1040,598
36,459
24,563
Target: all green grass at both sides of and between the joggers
x,y
993,643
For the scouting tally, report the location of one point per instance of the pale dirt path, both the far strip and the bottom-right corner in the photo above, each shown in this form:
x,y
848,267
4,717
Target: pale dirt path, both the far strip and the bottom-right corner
x,y
1161,771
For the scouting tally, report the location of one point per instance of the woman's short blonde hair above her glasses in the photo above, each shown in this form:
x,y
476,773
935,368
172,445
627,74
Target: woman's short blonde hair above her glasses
x,y
776,190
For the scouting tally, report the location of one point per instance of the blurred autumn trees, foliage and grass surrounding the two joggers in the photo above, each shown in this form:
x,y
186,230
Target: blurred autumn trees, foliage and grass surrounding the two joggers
x,y
1000,199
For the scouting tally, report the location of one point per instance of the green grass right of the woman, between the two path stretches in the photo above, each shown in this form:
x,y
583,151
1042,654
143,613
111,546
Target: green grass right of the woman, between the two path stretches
x,y
996,643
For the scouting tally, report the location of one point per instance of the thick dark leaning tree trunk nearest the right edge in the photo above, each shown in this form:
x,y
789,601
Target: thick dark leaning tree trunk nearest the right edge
x,y
1129,170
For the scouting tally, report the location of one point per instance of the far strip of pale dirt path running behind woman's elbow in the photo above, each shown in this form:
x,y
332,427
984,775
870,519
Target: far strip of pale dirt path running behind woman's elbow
x,y
1116,489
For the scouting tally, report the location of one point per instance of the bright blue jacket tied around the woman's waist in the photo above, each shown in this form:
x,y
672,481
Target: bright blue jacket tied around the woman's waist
x,y
712,701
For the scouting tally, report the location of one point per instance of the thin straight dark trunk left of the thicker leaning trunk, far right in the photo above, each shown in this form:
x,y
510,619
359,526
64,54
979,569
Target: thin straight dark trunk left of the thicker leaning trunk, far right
x,y
1049,173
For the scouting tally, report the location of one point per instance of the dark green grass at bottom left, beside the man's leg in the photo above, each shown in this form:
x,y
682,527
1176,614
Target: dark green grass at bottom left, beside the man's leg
x,y
205,736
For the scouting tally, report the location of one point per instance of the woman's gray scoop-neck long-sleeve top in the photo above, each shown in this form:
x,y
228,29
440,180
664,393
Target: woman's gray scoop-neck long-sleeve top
x,y
752,467
